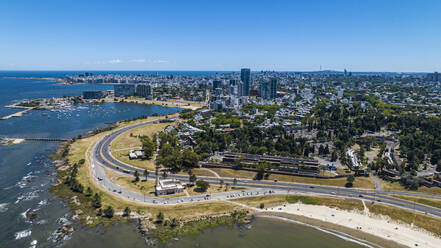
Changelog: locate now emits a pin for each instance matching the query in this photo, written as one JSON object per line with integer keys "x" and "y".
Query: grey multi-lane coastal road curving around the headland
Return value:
{"x": 101, "y": 158}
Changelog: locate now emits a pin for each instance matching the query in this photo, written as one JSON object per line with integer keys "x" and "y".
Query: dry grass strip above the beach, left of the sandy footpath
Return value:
{"x": 275, "y": 200}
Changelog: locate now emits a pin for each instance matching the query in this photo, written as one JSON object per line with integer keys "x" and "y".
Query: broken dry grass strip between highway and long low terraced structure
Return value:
{"x": 360, "y": 182}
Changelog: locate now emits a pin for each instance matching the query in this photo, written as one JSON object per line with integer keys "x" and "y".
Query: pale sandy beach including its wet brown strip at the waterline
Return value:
{"x": 376, "y": 229}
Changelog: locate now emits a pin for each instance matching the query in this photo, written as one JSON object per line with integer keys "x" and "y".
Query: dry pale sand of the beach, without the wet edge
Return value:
{"x": 380, "y": 226}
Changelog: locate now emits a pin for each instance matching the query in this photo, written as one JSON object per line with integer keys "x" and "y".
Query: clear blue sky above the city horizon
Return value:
{"x": 360, "y": 35}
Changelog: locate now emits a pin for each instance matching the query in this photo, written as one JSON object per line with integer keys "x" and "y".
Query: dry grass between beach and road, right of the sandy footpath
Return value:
{"x": 429, "y": 223}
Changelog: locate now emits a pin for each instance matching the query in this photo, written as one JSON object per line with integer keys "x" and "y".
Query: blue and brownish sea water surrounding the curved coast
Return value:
{"x": 26, "y": 174}
